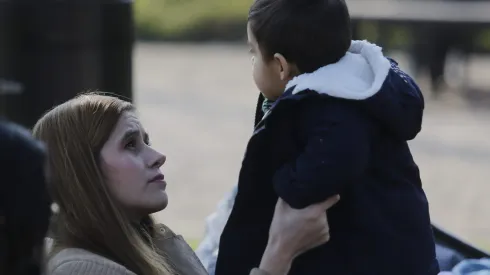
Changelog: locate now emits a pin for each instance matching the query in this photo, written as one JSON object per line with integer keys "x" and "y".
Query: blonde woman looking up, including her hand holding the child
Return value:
{"x": 106, "y": 180}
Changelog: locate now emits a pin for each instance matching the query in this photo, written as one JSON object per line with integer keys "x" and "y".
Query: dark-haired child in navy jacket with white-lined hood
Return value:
{"x": 335, "y": 119}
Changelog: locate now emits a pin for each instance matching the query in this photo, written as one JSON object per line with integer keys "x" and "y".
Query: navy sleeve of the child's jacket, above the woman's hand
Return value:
{"x": 335, "y": 154}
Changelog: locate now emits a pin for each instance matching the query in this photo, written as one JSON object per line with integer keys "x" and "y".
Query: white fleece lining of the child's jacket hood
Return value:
{"x": 358, "y": 75}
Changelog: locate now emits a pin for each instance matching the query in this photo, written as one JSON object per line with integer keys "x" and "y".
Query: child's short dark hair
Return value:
{"x": 308, "y": 33}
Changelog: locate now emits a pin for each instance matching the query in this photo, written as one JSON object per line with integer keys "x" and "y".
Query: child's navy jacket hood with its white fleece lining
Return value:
{"x": 365, "y": 74}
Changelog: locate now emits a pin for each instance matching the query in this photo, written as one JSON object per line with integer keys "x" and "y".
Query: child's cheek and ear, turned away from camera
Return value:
{"x": 270, "y": 76}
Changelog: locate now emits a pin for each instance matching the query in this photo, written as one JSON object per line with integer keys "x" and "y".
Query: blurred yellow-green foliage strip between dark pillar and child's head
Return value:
{"x": 181, "y": 19}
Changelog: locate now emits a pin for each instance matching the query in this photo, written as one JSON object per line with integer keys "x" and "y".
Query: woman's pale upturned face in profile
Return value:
{"x": 132, "y": 168}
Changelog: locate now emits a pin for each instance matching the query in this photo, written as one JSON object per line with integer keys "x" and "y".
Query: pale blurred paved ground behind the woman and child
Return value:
{"x": 197, "y": 102}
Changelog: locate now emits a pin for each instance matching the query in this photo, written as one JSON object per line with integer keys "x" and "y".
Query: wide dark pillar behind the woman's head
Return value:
{"x": 57, "y": 49}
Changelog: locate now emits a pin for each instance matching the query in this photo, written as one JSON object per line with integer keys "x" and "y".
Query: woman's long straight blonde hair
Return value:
{"x": 89, "y": 217}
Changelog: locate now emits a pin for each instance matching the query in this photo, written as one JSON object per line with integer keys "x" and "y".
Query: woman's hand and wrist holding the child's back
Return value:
{"x": 294, "y": 231}
